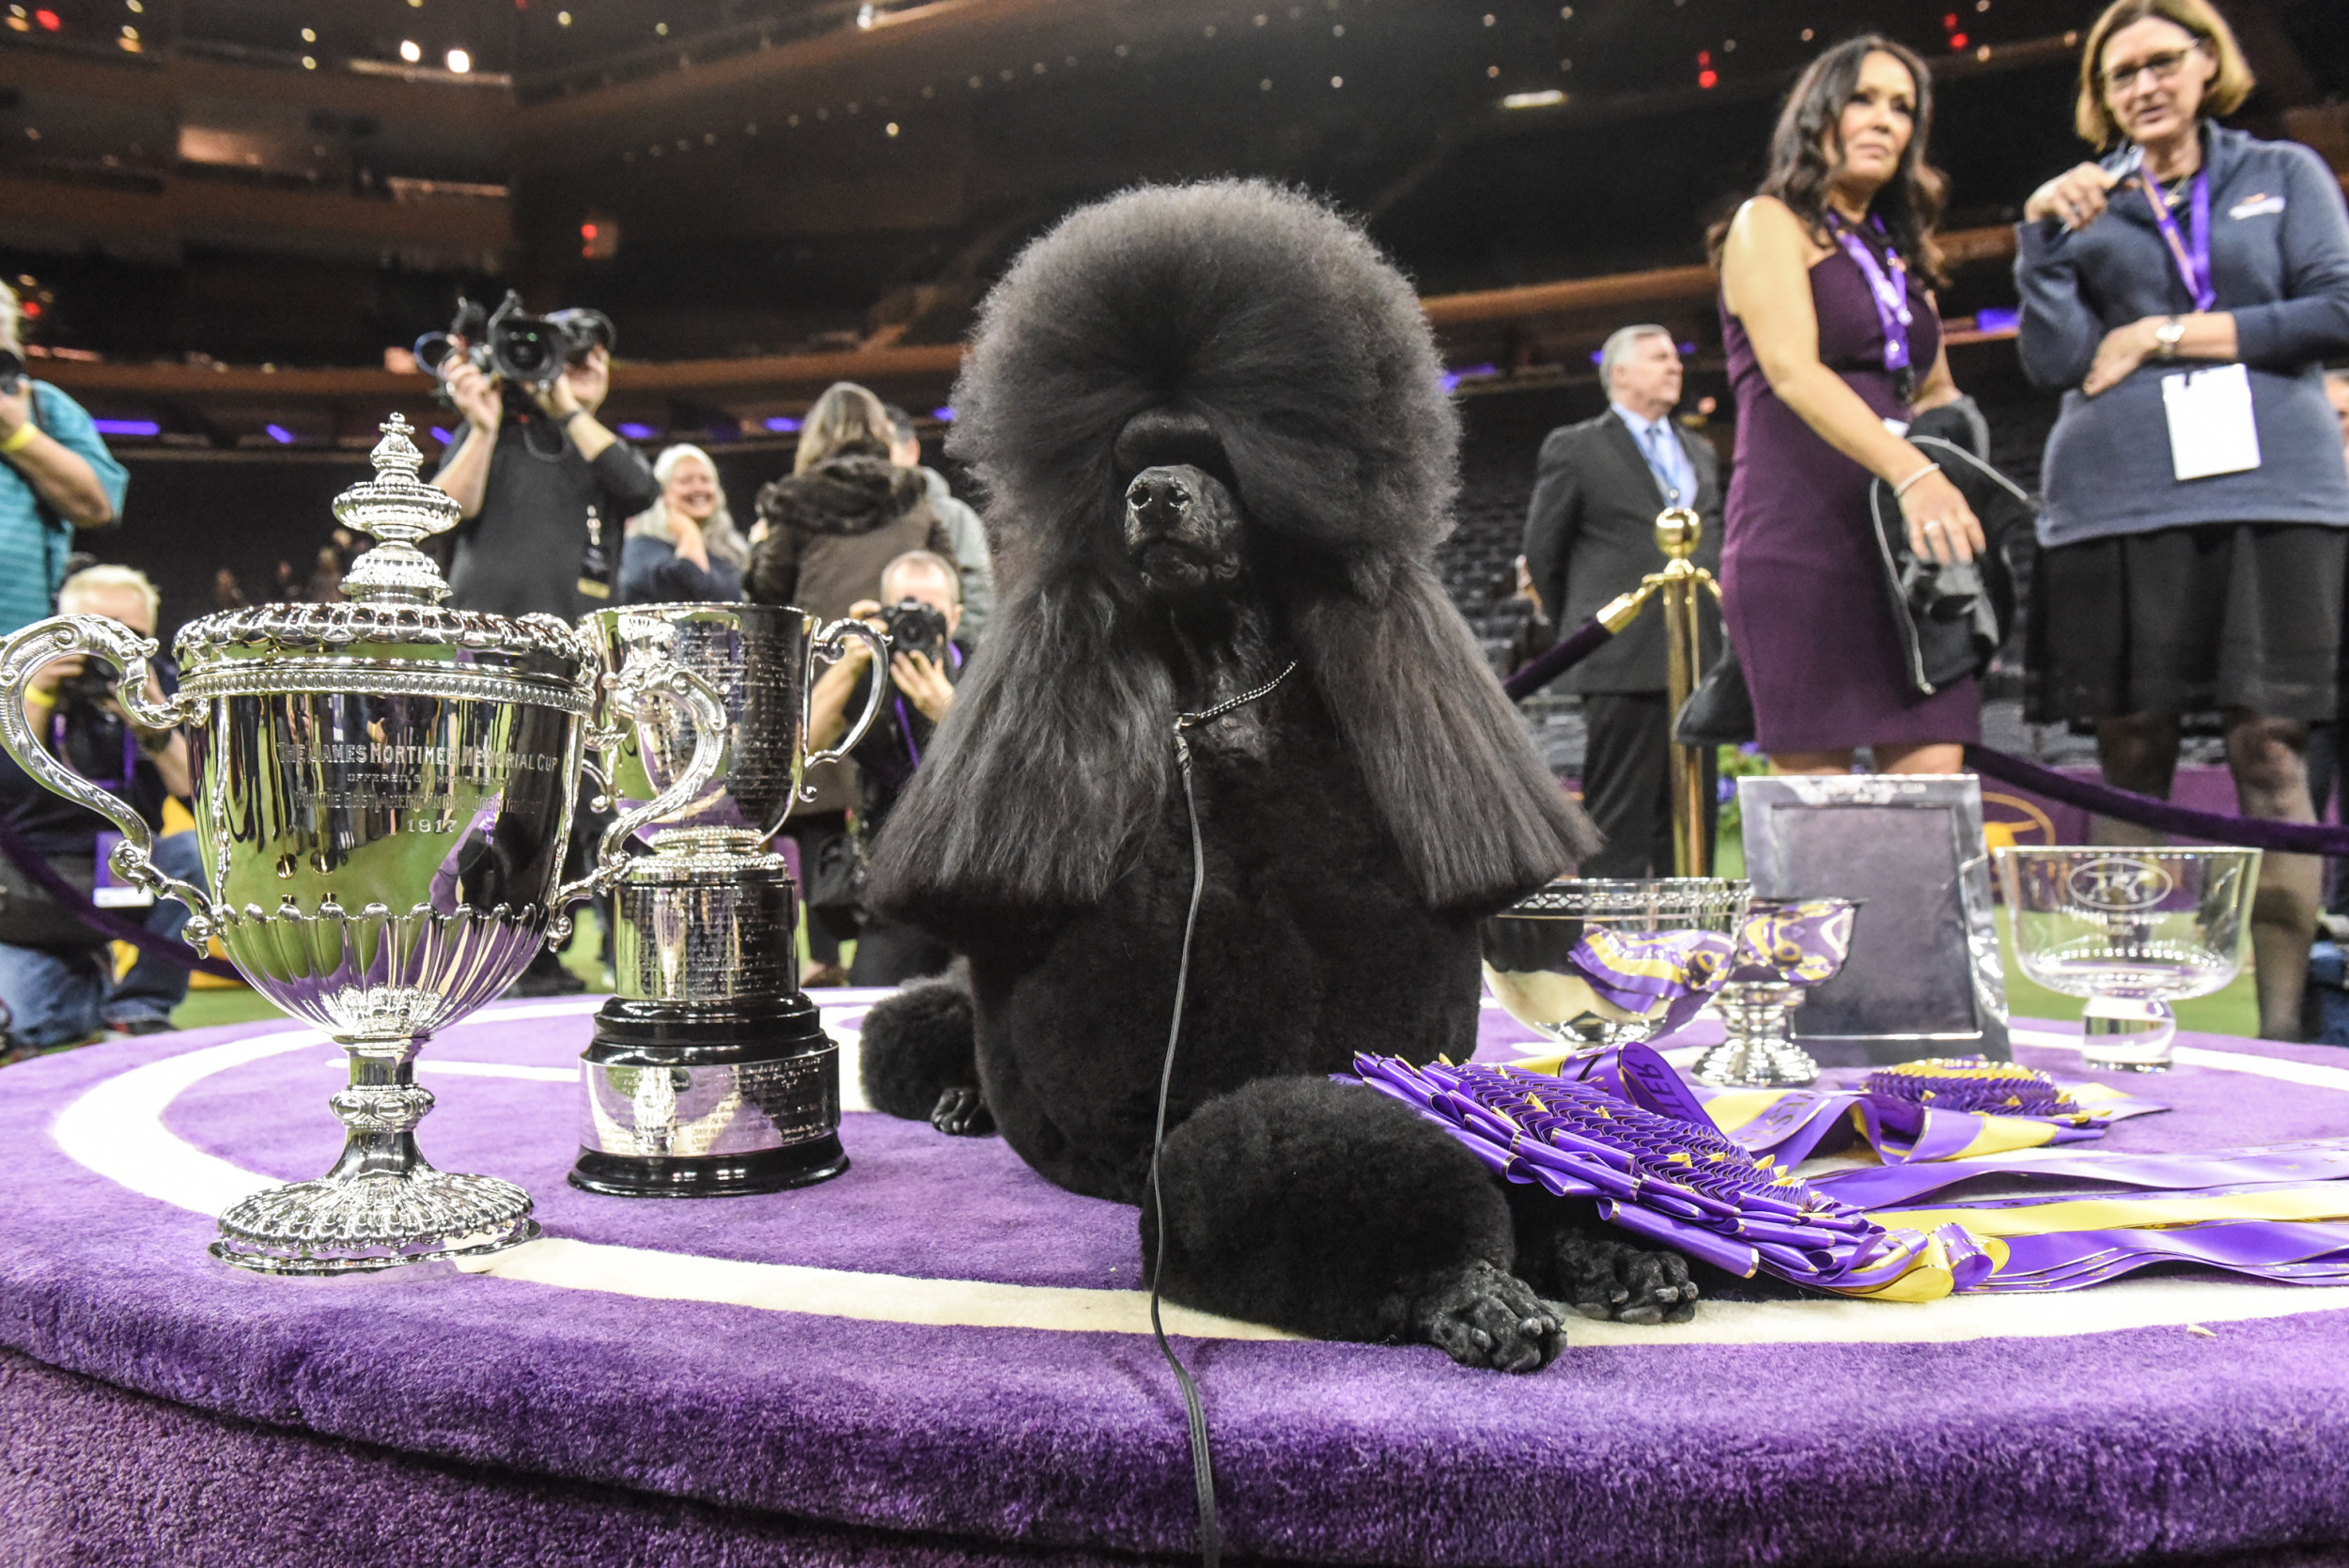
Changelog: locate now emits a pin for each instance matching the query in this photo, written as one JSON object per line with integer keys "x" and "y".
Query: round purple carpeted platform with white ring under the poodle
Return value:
{"x": 943, "y": 1360}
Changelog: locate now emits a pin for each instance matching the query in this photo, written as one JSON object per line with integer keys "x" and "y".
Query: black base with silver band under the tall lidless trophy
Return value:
{"x": 666, "y": 1083}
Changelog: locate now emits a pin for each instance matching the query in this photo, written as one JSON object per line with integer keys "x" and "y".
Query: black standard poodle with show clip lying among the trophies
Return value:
{"x": 1218, "y": 459}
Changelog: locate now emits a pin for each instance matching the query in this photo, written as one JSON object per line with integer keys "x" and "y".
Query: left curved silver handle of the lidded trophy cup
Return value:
{"x": 116, "y": 644}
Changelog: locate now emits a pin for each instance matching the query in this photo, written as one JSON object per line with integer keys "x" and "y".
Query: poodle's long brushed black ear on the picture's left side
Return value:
{"x": 1044, "y": 773}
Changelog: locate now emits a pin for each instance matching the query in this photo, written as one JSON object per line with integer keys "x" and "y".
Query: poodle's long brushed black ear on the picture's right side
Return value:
{"x": 1451, "y": 769}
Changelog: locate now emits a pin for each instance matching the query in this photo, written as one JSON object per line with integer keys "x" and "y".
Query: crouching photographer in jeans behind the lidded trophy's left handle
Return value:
{"x": 58, "y": 975}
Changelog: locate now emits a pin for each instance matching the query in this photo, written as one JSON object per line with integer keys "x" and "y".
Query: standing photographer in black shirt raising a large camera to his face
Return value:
{"x": 541, "y": 485}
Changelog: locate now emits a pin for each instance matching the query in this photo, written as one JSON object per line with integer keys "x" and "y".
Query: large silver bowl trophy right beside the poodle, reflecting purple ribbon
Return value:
{"x": 1596, "y": 964}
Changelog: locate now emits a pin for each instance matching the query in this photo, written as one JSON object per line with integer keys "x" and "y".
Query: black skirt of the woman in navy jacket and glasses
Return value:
{"x": 2190, "y": 621}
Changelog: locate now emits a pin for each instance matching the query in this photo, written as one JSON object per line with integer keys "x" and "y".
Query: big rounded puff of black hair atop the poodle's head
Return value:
{"x": 1232, "y": 327}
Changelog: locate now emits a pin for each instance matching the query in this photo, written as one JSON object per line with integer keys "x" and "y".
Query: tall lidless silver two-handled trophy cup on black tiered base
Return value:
{"x": 711, "y": 1069}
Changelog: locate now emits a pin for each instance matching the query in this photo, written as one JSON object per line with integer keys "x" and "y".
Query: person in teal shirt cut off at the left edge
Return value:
{"x": 55, "y": 478}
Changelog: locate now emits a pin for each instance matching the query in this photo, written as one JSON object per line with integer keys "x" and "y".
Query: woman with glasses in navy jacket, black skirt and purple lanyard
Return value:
{"x": 2223, "y": 593}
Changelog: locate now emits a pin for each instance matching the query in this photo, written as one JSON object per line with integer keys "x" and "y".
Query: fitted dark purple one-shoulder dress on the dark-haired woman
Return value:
{"x": 1803, "y": 581}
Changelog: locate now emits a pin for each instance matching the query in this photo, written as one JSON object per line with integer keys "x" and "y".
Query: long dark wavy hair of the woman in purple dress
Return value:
{"x": 1801, "y": 170}
